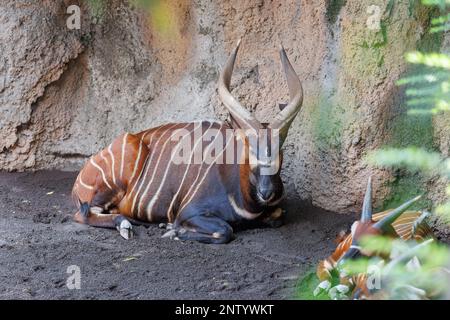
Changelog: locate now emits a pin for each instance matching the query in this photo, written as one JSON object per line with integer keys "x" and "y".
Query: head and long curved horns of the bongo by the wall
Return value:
{"x": 263, "y": 140}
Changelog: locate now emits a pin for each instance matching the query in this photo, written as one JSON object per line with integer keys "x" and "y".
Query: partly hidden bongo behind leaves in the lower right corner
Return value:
{"x": 398, "y": 223}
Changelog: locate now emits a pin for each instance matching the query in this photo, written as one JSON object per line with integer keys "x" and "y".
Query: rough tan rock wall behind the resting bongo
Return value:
{"x": 64, "y": 94}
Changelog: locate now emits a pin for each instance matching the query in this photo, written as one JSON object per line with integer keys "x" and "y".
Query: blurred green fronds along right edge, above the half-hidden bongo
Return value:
{"x": 428, "y": 93}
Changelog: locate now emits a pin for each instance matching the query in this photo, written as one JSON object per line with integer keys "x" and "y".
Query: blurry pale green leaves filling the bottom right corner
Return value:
{"x": 414, "y": 271}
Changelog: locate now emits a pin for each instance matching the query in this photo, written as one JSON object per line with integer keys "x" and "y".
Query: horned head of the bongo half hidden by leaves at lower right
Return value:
{"x": 367, "y": 226}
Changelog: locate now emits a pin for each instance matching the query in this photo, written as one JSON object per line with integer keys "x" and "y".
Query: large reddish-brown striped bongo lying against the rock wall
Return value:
{"x": 136, "y": 180}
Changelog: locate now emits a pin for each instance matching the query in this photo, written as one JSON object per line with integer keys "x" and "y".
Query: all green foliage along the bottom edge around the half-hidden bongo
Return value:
{"x": 396, "y": 269}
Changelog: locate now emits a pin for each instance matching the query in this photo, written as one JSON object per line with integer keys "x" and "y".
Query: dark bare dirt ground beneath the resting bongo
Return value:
{"x": 39, "y": 240}
